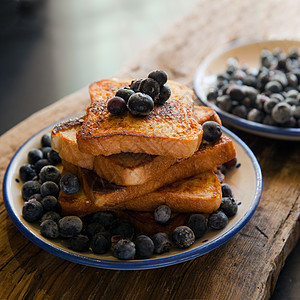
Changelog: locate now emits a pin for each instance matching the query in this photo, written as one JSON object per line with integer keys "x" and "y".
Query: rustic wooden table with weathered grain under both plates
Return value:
{"x": 248, "y": 265}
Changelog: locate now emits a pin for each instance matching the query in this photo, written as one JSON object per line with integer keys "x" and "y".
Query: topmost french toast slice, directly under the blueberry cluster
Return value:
{"x": 169, "y": 130}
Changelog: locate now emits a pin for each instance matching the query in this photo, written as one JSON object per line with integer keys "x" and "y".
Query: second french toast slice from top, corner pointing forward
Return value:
{"x": 124, "y": 168}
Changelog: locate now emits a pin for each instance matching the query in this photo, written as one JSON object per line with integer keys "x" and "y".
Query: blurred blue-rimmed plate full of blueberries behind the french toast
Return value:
{"x": 254, "y": 86}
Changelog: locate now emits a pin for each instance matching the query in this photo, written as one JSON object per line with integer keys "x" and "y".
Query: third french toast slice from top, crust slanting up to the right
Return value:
{"x": 105, "y": 195}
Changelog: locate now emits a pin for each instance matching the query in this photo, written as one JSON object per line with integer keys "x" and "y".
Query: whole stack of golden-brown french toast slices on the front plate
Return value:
{"x": 132, "y": 164}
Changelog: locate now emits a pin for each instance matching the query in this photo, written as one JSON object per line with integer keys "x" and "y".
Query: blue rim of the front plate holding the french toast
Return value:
{"x": 136, "y": 264}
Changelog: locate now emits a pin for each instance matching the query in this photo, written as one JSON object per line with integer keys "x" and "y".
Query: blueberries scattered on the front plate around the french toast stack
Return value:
{"x": 102, "y": 231}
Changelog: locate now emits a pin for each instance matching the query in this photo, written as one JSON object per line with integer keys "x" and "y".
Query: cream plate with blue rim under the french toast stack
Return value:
{"x": 245, "y": 180}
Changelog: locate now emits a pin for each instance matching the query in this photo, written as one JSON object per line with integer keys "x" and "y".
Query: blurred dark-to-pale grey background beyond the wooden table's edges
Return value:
{"x": 49, "y": 49}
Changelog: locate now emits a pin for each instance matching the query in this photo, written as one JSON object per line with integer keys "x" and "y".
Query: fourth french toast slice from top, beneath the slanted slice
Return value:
{"x": 201, "y": 193}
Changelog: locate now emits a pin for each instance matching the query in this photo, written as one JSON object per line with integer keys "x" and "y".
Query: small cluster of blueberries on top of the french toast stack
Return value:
{"x": 141, "y": 95}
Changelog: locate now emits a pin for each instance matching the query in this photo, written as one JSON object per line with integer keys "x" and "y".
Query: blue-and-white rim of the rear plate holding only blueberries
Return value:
{"x": 243, "y": 124}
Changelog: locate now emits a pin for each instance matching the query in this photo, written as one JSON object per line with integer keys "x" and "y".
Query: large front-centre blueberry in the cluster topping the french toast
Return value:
{"x": 140, "y": 104}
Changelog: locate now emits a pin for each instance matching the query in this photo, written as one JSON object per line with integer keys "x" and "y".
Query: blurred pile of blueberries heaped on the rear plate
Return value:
{"x": 268, "y": 95}
